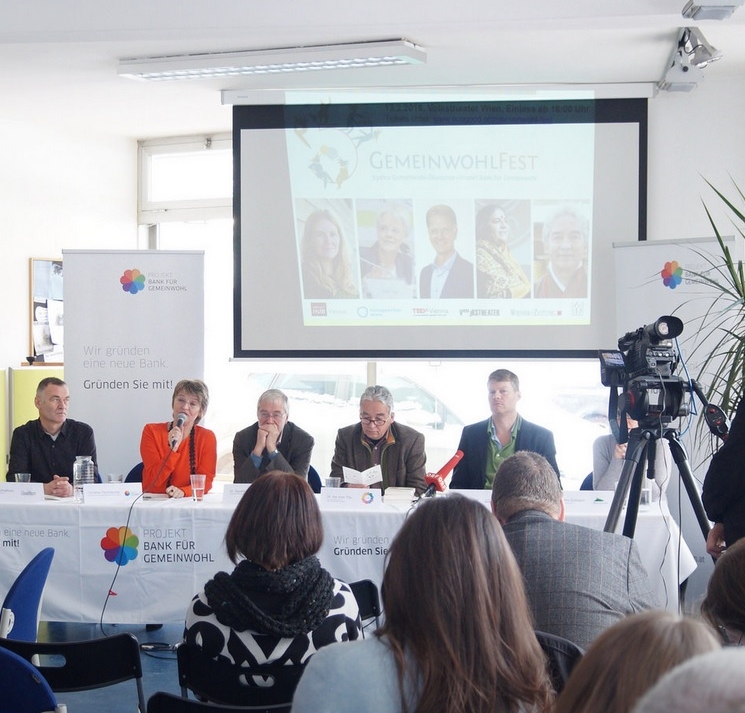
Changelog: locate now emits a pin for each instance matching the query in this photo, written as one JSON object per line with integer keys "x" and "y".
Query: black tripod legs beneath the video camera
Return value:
{"x": 643, "y": 441}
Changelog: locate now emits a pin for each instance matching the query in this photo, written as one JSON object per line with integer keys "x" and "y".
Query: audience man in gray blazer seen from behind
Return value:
{"x": 579, "y": 581}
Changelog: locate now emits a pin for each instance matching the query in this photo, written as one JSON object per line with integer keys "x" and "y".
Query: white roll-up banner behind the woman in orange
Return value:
{"x": 134, "y": 326}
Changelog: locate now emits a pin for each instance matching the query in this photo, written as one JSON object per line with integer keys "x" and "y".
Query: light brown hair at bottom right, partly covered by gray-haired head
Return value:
{"x": 629, "y": 658}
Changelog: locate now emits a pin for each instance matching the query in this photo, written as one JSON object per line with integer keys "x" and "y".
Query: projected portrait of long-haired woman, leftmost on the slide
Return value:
{"x": 325, "y": 264}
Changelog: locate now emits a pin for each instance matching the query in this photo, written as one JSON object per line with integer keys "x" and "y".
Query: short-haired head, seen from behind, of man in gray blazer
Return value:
{"x": 525, "y": 481}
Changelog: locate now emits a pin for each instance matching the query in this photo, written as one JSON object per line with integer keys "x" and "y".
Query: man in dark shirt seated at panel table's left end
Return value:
{"x": 47, "y": 446}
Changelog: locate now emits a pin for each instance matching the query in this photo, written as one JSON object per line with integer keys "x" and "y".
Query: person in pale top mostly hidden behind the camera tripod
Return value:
{"x": 608, "y": 458}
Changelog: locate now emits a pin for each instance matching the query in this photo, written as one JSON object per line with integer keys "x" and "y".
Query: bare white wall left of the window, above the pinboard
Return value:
{"x": 57, "y": 191}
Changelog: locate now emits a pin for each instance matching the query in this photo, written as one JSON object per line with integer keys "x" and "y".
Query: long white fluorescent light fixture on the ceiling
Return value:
{"x": 273, "y": 61}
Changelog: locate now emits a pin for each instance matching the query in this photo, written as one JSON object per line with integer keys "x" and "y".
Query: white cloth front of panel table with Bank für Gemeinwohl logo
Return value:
{"x": 170, "y": 548}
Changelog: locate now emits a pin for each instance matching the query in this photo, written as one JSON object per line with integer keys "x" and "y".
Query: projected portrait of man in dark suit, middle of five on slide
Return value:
{"x": 449, "y": 276}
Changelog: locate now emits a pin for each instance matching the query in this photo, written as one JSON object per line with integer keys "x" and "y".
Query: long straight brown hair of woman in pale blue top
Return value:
{"x": 455, "y": 605}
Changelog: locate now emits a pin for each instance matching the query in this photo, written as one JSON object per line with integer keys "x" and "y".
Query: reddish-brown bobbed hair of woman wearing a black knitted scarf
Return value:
{"x": 276, "y": 523}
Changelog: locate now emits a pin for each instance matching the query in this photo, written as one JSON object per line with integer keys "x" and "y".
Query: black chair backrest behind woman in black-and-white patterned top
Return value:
{"x": 256, "y": 688}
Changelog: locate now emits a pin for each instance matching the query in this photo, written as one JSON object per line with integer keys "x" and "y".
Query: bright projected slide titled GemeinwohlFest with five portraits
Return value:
{"x": 435, "y": 225}
